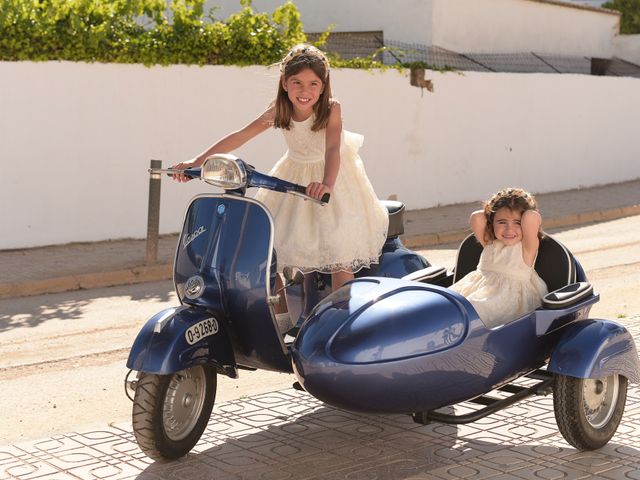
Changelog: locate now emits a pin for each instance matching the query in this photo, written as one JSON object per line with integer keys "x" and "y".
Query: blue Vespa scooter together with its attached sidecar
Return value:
{"x": 393, "y": 340}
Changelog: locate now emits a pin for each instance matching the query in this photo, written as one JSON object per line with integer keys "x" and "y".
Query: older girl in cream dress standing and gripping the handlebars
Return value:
{"x": 348, "y": 233}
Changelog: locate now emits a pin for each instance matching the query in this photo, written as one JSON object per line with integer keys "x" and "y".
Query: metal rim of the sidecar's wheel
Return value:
{"x": 599, "y": 398}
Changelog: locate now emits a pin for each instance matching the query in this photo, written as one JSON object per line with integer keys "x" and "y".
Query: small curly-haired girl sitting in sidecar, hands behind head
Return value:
{"x": 505, "y": 284}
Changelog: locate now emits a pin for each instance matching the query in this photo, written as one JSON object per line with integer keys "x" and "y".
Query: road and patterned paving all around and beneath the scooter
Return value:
{"x": 62, "y": 364}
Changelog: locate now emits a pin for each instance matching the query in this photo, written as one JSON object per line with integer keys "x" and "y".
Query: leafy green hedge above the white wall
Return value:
{"x": 144, "y": 31}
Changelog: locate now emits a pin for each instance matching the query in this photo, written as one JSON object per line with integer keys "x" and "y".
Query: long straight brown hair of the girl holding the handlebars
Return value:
{"x": 298, "y": 59}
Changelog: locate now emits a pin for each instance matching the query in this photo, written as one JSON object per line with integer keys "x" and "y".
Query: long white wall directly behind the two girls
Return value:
{"x": 76, "y": 139}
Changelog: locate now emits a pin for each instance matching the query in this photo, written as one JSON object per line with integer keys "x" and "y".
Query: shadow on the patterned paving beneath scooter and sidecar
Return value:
{"x": 332, "y": 444}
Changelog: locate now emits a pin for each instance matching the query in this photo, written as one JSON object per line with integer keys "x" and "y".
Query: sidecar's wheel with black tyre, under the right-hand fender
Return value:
{"x": 588, "y": 411}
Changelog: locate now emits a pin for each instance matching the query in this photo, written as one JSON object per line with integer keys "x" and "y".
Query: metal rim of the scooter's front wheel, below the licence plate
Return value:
{"x": 183, "y": 402}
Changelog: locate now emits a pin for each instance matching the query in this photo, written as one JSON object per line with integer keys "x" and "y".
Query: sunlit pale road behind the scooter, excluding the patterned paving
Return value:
{"x": 80, "y": 340}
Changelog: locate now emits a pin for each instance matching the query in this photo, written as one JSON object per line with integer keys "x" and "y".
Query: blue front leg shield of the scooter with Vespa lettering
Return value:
{"x": 227, "y": 241}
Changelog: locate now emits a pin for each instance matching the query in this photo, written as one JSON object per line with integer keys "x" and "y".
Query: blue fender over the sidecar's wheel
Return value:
{"x": 596, "y": 349}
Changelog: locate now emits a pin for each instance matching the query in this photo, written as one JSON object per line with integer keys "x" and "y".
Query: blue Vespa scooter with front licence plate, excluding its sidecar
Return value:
{"x": 224, "y": 275}
